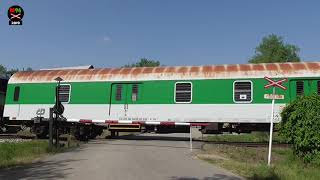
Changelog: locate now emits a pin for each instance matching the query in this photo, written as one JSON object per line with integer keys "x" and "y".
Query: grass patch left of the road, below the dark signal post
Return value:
{"x": 12, "y": 154}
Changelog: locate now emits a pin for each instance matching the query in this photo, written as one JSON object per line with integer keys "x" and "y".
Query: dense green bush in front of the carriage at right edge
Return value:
{"x": 300, "y": 125}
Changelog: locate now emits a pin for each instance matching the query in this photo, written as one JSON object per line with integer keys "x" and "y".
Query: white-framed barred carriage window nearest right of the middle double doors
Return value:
{"x": 183, "y": 93}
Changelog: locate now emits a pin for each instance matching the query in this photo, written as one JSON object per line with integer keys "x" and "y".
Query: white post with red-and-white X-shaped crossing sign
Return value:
{"x": 274, "y": 96}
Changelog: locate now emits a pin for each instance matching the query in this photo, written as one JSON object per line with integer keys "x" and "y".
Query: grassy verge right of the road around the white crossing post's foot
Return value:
{"x": 251, "y": 162}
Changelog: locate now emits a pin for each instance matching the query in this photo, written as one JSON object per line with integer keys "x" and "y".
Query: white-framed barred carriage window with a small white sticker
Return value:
{"x": 242, "y": 91}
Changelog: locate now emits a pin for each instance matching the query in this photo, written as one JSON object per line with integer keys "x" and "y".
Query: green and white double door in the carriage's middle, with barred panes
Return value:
{"x": 123, "y": 95}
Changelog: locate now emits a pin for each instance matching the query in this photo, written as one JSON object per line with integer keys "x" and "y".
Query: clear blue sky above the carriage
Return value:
{"x": 112, "y": 33}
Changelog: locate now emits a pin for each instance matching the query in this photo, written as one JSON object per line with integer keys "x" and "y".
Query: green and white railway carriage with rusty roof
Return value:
{"x": 181, "y": 95}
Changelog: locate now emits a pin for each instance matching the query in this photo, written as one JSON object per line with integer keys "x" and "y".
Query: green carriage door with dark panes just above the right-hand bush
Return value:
{"x": 304, "y": 87}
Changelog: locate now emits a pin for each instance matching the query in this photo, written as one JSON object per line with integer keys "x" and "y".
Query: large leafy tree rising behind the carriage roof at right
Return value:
{"x": 273, "y": 49}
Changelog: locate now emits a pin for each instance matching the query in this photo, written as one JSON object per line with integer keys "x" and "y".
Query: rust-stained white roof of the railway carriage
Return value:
{"x": 236, "y": 71}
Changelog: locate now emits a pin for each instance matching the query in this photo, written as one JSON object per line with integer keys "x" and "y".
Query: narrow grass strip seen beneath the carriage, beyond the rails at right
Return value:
{"x": 256, "y": 137}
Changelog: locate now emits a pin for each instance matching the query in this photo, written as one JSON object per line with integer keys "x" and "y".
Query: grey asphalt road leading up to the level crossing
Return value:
{"x": 142, "y": 157}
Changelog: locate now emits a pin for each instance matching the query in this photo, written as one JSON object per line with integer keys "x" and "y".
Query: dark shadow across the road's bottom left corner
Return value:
{"x": 39, "y": 170}
